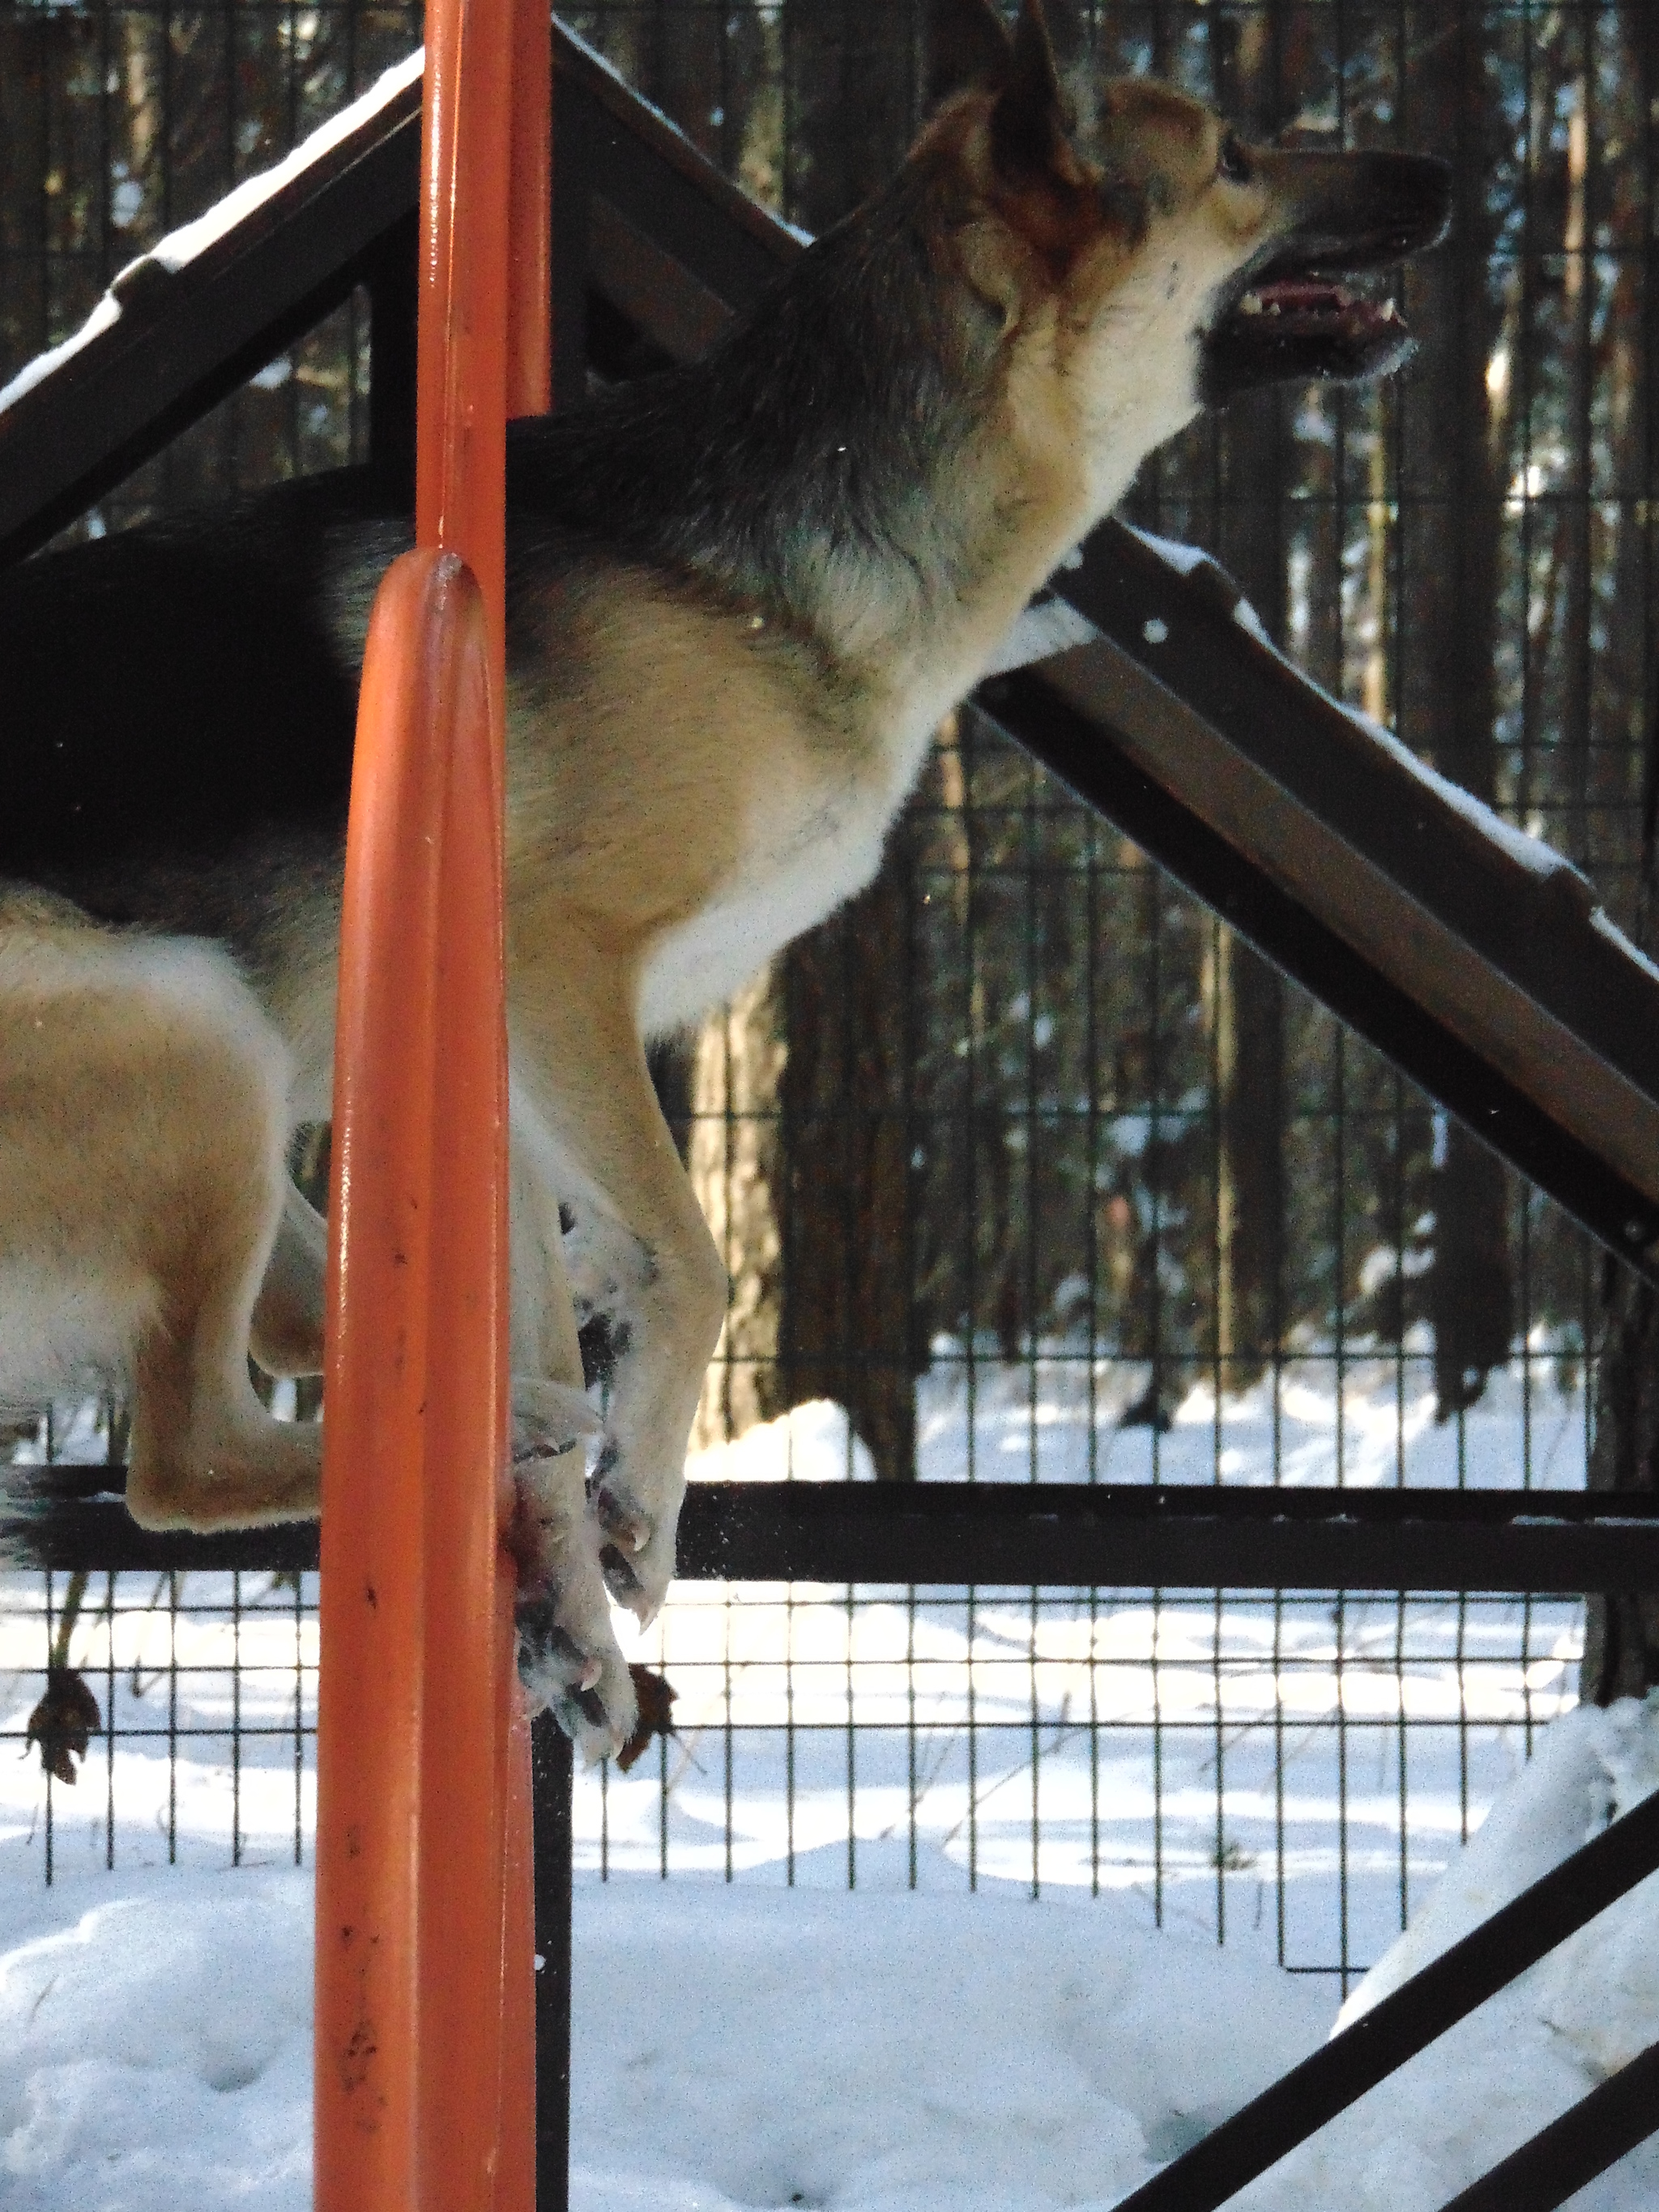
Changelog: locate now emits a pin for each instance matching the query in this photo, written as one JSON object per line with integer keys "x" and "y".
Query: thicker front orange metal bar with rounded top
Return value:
{"x": 415, "y": 1432}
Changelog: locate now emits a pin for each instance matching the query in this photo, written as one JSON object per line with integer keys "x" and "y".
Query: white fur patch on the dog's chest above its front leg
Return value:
{"x": 813, "y": 837}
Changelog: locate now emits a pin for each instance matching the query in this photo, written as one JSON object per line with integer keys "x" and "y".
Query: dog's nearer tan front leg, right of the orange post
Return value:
{"x": 647, "y": 1262}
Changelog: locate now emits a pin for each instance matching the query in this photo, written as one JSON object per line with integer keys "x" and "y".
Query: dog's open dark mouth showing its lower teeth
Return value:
{"x": 1304, "y": 328}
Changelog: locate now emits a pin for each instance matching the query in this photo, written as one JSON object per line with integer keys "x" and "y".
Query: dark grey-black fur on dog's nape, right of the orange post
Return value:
{"x": 815, "y": 435}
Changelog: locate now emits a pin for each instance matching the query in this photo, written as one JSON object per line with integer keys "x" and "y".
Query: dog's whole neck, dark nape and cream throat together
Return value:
{"x": 868, "y": 466}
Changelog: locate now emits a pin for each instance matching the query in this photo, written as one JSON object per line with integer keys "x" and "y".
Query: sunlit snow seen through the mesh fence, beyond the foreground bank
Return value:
{"x": 1275, "y": 1771}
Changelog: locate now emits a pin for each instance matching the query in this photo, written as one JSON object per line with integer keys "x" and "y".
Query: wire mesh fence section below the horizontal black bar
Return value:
{"x": 1286, "y": 1773}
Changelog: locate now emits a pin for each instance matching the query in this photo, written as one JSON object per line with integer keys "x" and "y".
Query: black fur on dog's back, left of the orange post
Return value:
{"x": 174, "y": 687}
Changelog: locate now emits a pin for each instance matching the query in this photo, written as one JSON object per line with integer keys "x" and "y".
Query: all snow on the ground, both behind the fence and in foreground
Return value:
{"x": 1207, "y": 1760}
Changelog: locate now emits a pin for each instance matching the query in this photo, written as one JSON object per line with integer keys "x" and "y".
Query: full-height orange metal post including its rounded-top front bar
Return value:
{"x": 424, "y": 1939}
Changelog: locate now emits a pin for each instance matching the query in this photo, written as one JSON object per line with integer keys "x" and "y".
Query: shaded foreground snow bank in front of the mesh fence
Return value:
{"x": 866, "y": 2054}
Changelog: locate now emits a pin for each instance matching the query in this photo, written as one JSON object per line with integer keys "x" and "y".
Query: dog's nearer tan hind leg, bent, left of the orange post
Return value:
{"x": 143, "y": 1125}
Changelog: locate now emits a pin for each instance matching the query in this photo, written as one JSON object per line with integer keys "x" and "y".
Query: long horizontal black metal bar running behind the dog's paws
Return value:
{"x": 985, "y": 1534}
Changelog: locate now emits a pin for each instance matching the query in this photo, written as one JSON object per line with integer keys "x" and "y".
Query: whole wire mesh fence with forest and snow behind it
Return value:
{"x": 1027, "y": 1162}
